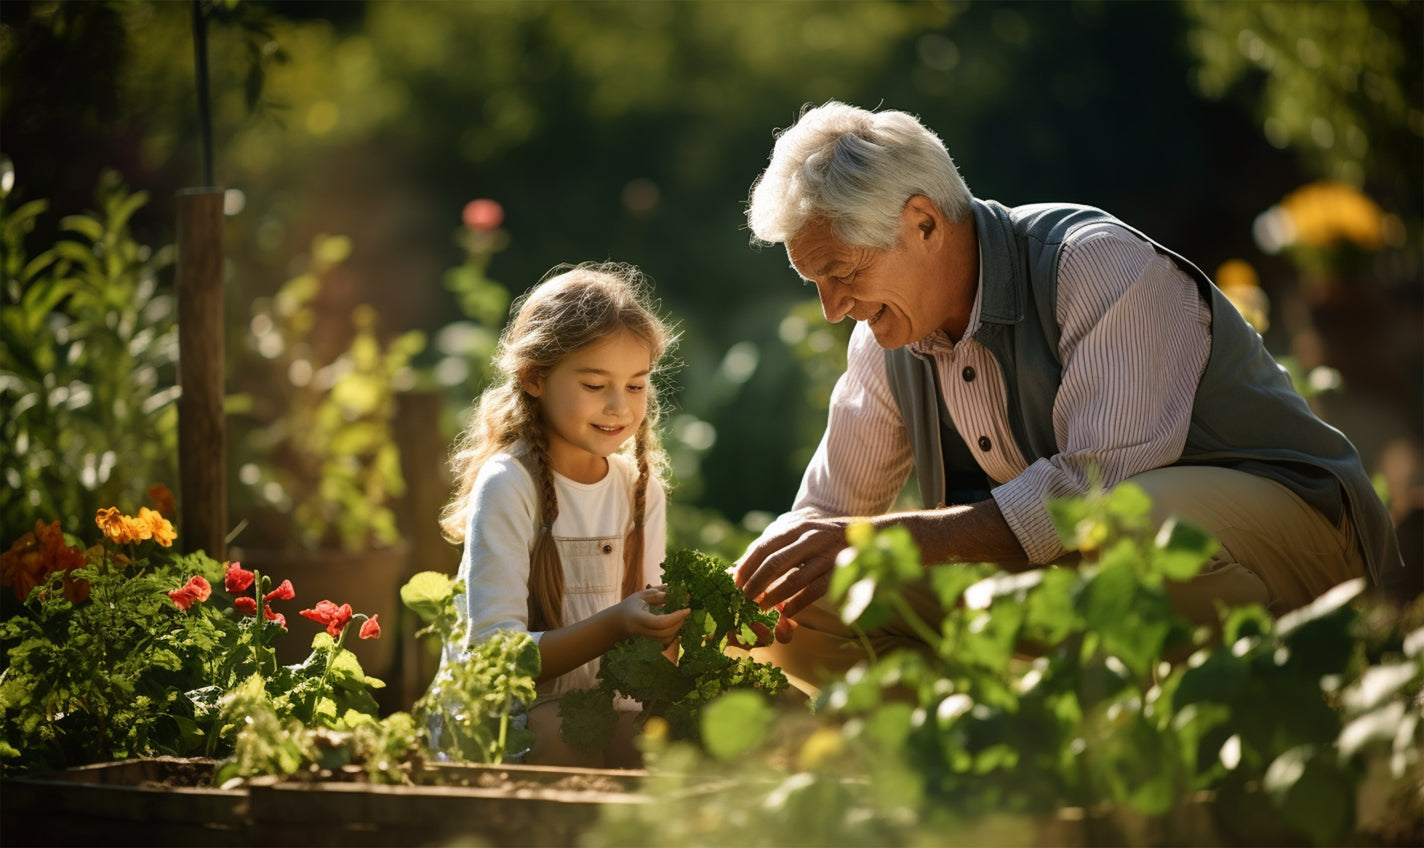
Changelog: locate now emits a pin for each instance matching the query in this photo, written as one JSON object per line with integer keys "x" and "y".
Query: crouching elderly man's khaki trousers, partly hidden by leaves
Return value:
{"x": 1277, "y": 551}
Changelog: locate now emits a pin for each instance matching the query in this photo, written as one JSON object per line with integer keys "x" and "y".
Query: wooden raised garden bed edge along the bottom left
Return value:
{"x": 170, "y": 802}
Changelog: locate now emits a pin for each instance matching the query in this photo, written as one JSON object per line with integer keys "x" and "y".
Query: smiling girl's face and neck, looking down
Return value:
{"x": 593, "y": 403}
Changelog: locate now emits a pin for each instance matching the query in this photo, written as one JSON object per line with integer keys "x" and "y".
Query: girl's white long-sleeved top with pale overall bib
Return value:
{"x": 590, "y": 531}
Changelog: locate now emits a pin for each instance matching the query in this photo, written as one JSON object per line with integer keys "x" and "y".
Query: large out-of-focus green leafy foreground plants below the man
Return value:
{"x": 1052, "y": 692}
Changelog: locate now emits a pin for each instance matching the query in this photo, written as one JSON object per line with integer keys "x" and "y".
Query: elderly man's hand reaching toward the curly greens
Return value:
{"x": 792, "y": 568}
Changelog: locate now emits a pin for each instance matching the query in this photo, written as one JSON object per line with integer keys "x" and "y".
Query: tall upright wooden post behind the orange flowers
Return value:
{"x": 203, "y": 447}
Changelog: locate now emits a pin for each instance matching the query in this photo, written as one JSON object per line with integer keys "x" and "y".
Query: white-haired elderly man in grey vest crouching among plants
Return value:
{"x": 1016, "y": 355}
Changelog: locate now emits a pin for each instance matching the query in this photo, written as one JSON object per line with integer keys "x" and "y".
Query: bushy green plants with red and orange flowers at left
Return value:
{"x": 129, "y": 650}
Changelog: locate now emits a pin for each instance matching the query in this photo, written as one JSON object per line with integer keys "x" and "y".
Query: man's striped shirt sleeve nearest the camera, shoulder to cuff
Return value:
{"x": 1136, "y": 341}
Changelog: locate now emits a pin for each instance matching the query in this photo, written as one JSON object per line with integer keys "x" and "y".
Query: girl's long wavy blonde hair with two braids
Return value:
{"x": 575, "y": 308}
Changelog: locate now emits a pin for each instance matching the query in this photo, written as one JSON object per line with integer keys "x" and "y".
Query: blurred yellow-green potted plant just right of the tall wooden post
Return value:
{"x": 318, "y": 418}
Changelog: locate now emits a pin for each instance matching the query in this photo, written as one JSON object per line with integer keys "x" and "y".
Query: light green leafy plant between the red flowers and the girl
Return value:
{"x": 471, "y": 705}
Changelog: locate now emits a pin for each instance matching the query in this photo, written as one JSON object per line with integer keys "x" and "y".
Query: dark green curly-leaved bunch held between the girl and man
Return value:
{"x": 679, "y": 691}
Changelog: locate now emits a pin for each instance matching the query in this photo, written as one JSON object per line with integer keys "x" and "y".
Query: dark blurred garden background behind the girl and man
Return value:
{"x": 1277, "y": 144}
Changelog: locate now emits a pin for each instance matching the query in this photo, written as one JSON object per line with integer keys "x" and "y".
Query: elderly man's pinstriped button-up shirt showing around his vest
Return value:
{"x": 1136, "y": 336}
